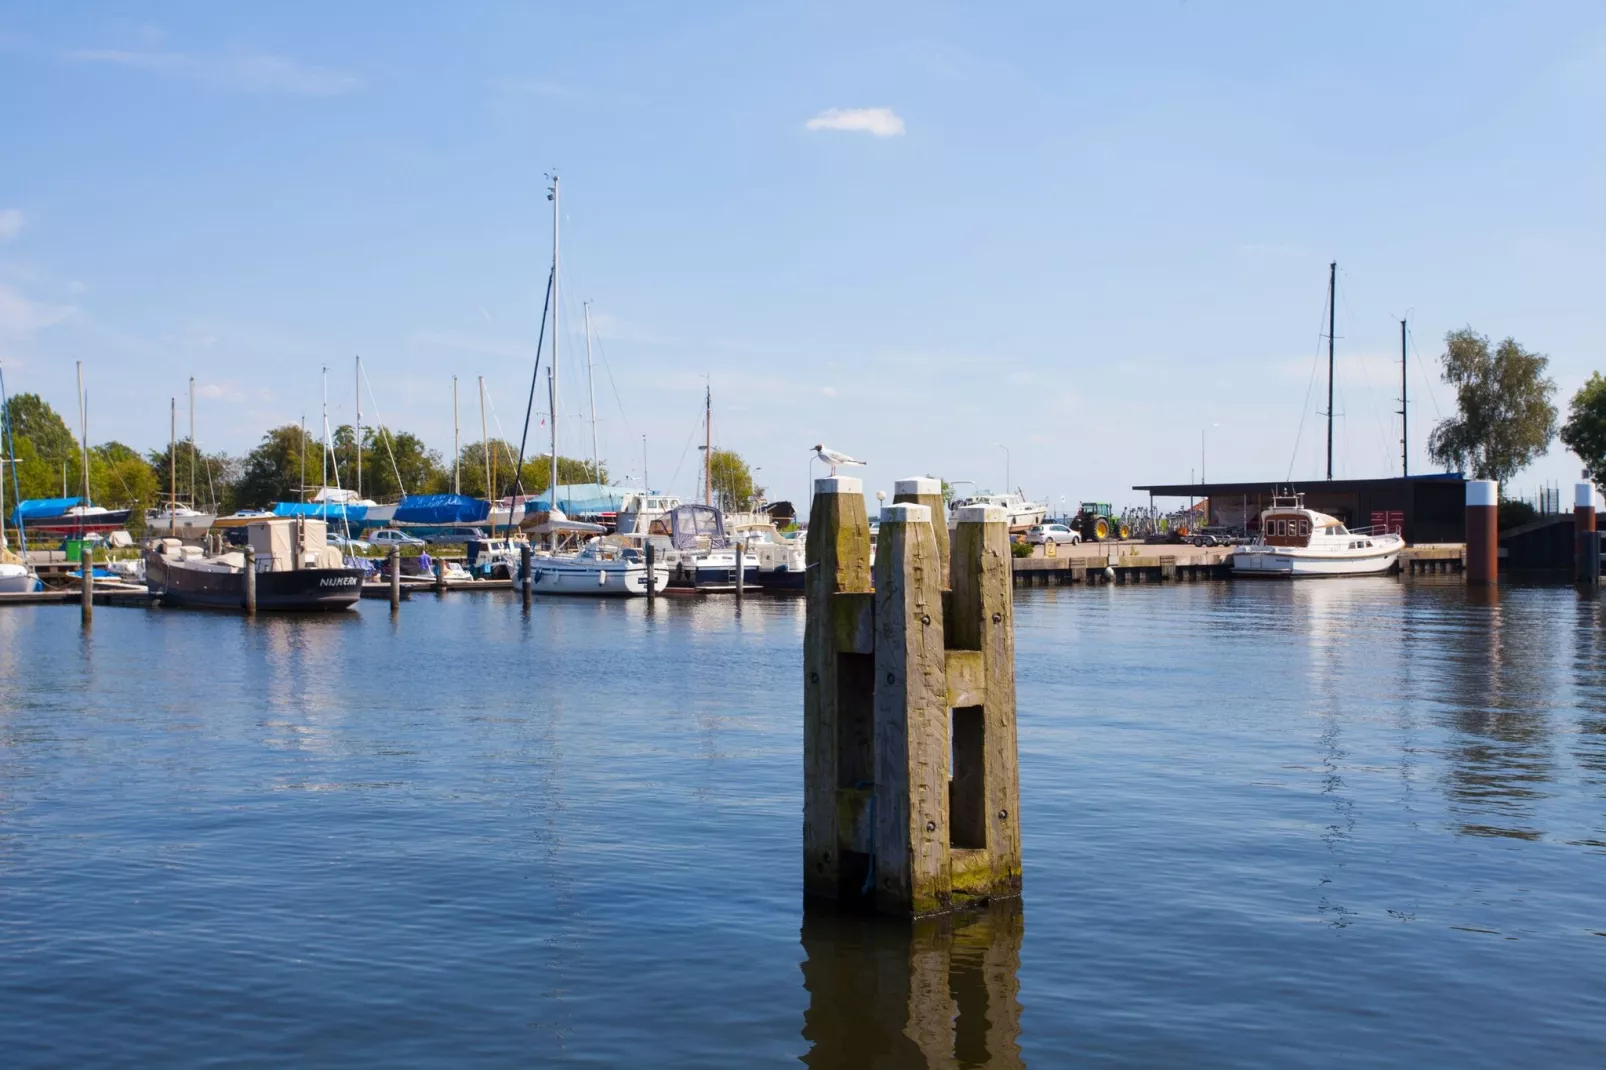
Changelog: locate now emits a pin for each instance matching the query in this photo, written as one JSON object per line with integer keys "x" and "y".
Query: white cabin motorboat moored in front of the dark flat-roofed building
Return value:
{"x": 1300, "y": 542}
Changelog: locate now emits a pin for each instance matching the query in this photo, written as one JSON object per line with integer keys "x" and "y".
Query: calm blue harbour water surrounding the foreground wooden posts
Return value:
{"x": 1323, "y": 825}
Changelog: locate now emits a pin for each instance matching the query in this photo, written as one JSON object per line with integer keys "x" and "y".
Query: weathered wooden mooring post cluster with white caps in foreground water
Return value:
{"x": 911, "y": 783}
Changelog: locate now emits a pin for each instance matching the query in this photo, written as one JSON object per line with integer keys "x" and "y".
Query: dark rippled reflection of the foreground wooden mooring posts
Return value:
{"x": 942, "y": 992}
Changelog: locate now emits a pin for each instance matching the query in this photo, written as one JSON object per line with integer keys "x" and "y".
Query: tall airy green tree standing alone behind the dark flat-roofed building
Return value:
{"x": 1506, "y": 415}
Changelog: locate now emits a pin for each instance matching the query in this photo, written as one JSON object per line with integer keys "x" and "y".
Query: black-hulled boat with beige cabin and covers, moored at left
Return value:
{"x": 296, "y": 571}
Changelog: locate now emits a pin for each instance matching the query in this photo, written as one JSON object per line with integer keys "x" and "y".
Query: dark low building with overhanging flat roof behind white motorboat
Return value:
{"x": 1430, "y": 508}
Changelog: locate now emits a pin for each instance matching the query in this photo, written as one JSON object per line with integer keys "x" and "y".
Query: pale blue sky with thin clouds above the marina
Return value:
{"x": 1085, "y": 232}
